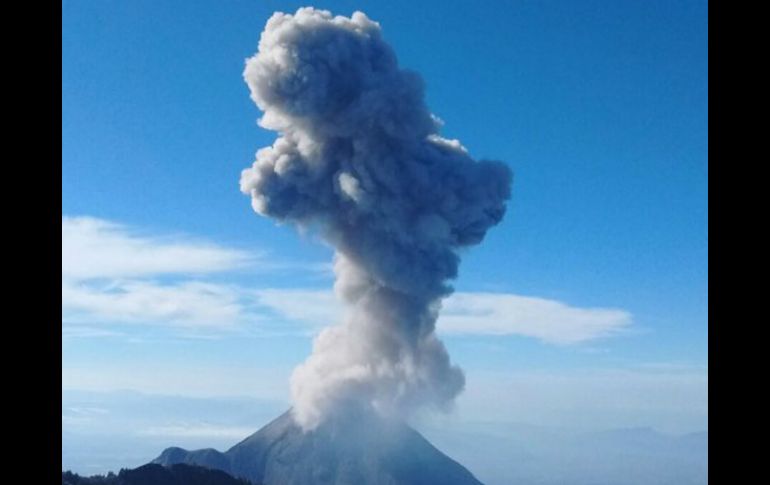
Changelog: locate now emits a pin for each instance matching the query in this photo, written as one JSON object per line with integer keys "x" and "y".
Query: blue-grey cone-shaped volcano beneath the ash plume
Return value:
{"x": 351, "y": 448}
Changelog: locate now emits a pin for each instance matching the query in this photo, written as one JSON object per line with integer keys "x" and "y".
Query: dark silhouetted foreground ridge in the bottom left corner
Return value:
{"x": 152, "y": 474}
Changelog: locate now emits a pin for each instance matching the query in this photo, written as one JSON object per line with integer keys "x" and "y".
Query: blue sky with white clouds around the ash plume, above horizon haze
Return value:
{"x": 599, "y": 107}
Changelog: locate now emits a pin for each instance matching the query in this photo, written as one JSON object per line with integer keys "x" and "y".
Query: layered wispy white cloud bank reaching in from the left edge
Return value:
{"x": 111, "y": 274}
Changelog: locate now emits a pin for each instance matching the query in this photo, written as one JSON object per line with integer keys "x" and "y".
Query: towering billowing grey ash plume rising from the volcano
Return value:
{"x": 359, "y": 157}
